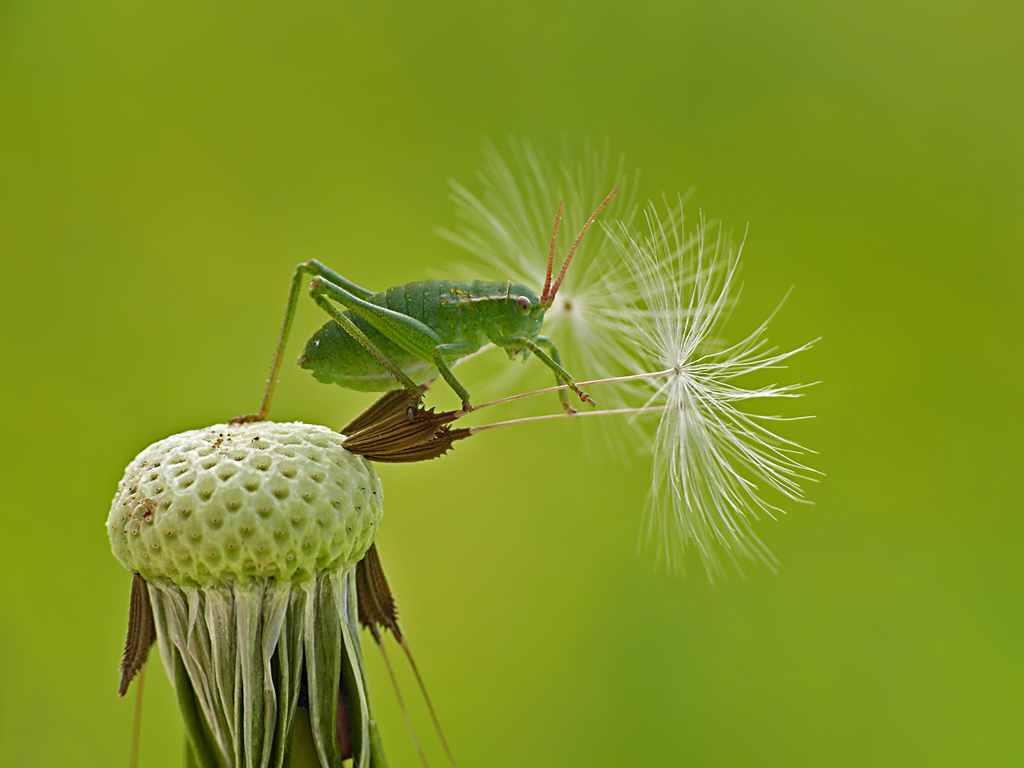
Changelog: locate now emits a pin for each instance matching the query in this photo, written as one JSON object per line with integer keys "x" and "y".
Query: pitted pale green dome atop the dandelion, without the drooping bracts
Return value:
{"x": 239, "y": 502}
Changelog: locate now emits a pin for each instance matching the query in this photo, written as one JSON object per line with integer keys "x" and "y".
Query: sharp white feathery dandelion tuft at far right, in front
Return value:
{"x": 713, "y": 460}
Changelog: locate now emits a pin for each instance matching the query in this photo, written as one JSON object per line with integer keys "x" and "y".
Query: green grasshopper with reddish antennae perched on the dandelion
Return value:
{"x": 385, "y": 342}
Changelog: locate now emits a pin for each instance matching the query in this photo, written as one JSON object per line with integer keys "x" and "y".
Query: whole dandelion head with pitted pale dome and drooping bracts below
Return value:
{"x": 244, "y": 541}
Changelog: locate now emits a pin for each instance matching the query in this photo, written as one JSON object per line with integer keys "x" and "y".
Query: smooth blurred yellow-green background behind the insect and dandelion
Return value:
{"x": 163, "y": 167}
